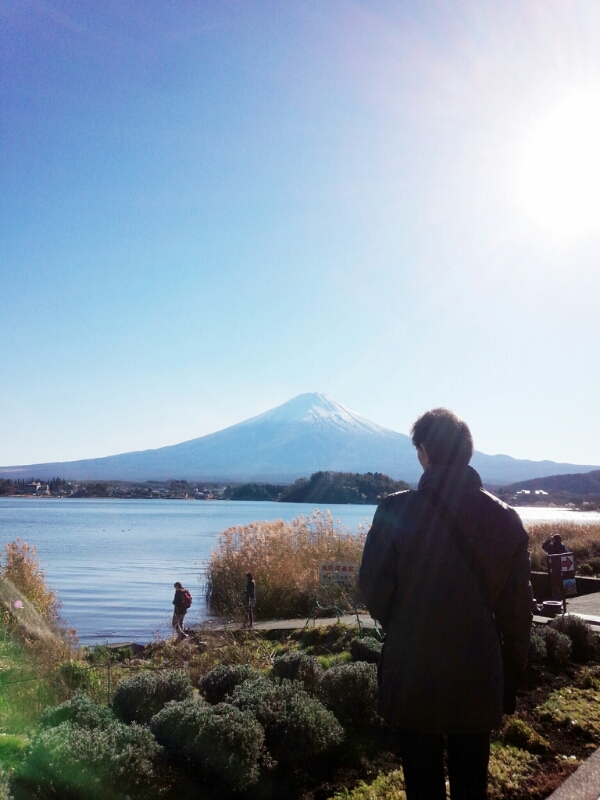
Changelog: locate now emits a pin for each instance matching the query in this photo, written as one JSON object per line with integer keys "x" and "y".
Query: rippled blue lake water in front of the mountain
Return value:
{"x": 114, "y": 562}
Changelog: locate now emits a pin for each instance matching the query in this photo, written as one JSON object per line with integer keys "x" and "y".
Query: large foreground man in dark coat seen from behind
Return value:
{"x": 446, "y": 572}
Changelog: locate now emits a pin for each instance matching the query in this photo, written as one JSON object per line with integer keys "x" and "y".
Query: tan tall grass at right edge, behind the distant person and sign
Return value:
{"x": 583, "y": 540}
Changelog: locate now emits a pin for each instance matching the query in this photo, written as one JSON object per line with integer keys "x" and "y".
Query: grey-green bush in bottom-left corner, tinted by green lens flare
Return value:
{"x": 91, "y": 764}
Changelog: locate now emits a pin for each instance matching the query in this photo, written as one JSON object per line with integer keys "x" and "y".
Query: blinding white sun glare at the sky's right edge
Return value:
{"x": 560, "y": 172}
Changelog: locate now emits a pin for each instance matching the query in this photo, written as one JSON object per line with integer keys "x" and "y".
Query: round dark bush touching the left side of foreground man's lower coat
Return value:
{"x": 350, "y": 691}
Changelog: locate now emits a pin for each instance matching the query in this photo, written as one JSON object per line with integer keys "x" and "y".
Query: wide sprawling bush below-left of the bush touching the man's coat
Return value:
{"x": 297, "y": 726}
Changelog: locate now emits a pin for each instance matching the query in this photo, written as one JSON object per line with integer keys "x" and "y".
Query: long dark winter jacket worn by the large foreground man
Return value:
{"x": 442, "y": 668}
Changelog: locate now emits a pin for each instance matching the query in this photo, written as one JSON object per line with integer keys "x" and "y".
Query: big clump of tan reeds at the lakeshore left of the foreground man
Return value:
{"x": 284, "y": 559}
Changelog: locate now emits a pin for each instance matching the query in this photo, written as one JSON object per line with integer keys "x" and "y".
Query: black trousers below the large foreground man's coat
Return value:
{"x": 423, "y": 764}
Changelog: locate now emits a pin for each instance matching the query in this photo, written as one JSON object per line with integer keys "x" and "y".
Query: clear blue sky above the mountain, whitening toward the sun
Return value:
{"x": 208, "y": 208}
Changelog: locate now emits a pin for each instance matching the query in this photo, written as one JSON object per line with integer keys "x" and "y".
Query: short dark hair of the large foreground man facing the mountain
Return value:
{"x": 445, "y": 436}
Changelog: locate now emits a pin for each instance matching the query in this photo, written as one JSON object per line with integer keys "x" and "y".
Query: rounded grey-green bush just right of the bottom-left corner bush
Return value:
{"x": 220, "y": 739}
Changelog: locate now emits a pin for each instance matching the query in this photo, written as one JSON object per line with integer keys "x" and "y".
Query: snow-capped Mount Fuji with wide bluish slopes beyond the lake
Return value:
{"x": 309, "y": 433}
